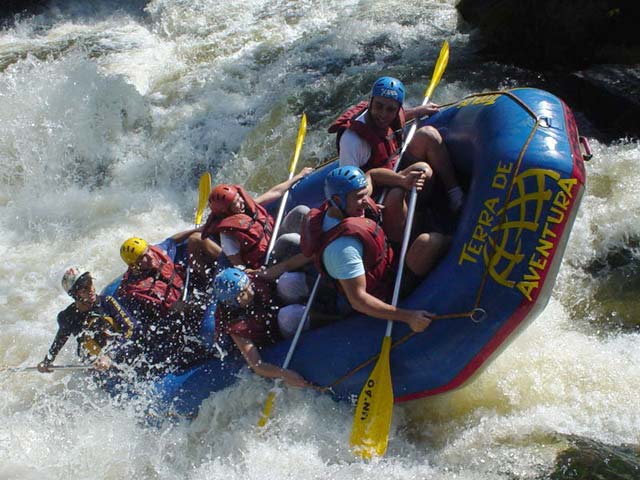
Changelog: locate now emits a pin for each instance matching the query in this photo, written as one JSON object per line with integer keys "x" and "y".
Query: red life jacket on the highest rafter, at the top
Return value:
{"x": 384, "y": 143}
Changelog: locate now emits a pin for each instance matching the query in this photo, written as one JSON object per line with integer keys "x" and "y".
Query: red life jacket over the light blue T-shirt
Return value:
{"x": 378, "y": 256}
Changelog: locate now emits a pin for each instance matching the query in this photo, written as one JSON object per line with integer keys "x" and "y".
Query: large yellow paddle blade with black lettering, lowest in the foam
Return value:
{"x": 372, "y": 419}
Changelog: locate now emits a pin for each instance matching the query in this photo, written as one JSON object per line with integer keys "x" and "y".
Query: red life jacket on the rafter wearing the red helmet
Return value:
{"x": 252, "y": 230}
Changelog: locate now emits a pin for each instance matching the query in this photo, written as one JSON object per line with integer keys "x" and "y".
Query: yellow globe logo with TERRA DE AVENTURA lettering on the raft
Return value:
{"x": 519, "y": 226}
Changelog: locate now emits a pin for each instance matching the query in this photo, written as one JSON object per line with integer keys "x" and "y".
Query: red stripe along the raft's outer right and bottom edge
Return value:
{"x": 525, "y": 307}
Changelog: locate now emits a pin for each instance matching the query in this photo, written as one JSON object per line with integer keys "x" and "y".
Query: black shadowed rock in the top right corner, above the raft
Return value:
{"x": 547, "y": 34}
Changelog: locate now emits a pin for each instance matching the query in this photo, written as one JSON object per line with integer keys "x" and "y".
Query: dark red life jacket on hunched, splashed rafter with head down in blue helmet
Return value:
{"x": 258, "y": 321}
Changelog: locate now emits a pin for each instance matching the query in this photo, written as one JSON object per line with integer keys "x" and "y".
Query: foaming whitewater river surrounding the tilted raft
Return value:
{"x": 109, "y": 113}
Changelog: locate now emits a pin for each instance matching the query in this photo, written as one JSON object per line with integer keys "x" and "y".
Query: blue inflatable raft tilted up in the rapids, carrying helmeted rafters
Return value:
{"x": 521, "y": 156}
